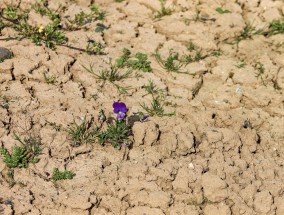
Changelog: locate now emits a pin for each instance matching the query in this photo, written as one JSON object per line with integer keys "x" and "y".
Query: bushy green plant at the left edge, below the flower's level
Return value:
{"x": 22, "y": 155}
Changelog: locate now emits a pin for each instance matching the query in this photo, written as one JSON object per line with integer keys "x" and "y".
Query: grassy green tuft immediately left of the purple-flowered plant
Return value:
{"x": 83, "y": 132}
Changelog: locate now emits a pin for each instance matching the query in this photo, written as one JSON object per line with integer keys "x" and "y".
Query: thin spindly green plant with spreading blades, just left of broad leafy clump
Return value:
{"x": 111, "y": 75}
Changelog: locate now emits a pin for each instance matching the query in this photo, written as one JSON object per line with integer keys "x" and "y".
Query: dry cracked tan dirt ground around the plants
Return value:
{"x": 203, "y": 160}
